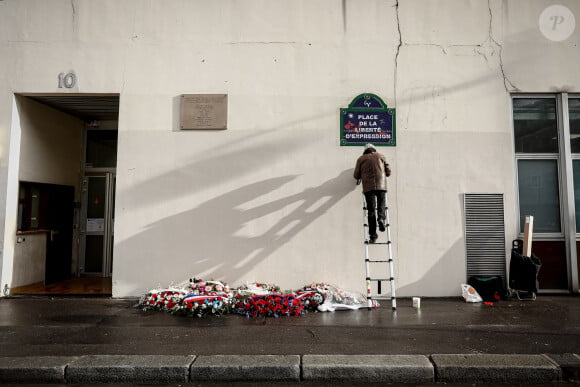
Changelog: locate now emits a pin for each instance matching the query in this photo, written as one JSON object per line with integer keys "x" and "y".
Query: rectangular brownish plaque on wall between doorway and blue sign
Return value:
{"x": 204, "y": 111}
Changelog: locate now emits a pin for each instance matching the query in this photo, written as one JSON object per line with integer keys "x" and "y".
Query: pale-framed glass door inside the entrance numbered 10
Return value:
{"x": 97, "y": 224}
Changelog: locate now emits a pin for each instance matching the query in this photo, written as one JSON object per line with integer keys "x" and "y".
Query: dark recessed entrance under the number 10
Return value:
{"x": 53, "y": 204}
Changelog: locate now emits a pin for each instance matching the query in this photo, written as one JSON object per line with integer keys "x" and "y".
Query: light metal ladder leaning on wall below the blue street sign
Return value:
{"x": 390, "y": 275}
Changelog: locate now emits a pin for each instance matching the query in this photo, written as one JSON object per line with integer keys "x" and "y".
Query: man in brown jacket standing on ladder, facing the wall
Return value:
{"x": 372, "y": 168}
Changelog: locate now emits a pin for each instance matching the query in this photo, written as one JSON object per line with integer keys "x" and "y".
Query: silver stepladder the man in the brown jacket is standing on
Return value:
{"x": 379, "y": 263}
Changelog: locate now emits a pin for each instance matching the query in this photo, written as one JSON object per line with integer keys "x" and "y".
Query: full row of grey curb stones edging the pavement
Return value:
{"x": 470, "y": 368}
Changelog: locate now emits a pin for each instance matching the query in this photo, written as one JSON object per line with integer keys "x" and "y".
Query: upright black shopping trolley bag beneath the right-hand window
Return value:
{"x": 523, "y": 270}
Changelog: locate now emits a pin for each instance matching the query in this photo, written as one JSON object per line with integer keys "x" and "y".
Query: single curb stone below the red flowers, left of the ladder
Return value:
{"x": 246, "y": 367}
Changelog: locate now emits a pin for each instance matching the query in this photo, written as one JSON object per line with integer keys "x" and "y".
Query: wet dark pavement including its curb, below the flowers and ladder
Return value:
{"x": 76, "y": 340}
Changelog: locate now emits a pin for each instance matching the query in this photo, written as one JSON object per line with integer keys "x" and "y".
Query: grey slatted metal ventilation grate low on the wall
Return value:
{"x": 485, "y": 235}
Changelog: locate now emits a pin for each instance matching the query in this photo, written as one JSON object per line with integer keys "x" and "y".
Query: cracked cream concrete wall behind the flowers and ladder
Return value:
{"x": 272, "y": 198}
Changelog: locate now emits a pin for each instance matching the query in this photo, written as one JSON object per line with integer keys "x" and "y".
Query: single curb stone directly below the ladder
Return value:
{"x": 368, "y": 368}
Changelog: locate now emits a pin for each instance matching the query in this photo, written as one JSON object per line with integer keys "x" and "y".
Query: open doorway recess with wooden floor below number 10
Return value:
{"x": 78, "y": 261}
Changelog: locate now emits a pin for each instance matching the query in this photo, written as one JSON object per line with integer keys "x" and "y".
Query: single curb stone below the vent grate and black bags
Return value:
{"x": 488, "y": 368}
